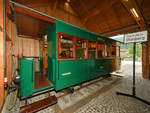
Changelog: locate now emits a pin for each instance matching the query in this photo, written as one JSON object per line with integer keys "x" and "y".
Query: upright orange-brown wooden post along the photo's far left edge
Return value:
{"x": 1, "y": 54}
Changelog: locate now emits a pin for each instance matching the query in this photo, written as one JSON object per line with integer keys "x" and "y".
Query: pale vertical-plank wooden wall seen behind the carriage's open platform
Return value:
{"x": 23, "y": 46}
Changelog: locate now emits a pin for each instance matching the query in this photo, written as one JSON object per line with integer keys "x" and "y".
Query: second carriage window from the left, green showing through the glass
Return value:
{"x": 81, "y": 49}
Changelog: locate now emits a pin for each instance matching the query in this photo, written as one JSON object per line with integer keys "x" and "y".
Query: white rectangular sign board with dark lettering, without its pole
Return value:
{"x": 136, "y": 37}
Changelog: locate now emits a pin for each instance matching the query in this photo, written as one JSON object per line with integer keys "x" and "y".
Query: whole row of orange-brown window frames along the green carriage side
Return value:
{"x": 106, "y": 53}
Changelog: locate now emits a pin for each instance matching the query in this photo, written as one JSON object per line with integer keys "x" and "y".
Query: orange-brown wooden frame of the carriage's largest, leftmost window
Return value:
{"x": 59, "y": 35}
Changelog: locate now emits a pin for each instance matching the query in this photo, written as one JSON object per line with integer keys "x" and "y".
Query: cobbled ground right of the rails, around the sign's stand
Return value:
{"x": 109, "y": 102}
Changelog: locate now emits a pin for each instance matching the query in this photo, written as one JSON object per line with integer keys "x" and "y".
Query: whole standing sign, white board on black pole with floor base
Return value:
{"x": 134, "y": 38}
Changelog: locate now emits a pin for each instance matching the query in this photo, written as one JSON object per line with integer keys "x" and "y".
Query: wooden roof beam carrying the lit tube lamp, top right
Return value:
{"x": 136, "y": 12}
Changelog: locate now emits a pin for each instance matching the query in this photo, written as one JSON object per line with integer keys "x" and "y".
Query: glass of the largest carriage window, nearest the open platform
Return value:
{"x": 65, "y": 47}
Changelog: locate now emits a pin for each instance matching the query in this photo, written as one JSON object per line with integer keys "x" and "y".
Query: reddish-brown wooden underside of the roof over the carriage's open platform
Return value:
{"x": 30, "y": 27}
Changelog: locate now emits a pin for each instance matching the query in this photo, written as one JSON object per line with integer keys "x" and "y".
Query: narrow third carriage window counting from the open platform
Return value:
{"x": 92, "y": 49}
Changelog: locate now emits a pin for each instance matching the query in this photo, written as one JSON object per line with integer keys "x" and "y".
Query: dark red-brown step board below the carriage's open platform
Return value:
{"x": 39, "y": 105}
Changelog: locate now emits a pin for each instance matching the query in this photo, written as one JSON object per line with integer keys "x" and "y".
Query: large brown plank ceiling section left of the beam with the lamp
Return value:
{"x": 113, "y": 13}
